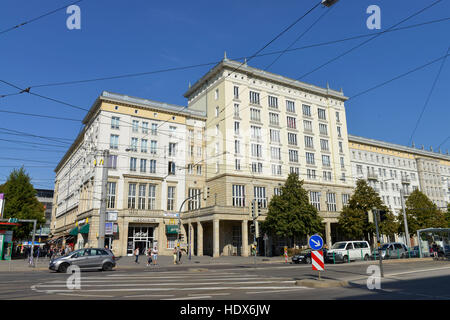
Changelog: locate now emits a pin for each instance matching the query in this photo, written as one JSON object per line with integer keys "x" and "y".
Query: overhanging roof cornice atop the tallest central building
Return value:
{"x": 255, "y": 72}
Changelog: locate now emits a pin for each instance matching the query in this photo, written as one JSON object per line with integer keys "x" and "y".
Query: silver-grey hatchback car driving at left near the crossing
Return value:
{"x": 92, "y": 258}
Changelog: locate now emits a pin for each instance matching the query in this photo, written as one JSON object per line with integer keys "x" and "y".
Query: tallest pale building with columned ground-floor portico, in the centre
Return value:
{"x": 260, "y": 127}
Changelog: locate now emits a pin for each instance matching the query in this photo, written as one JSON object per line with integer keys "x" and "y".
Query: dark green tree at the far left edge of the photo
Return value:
{"x": 21, "y": 202}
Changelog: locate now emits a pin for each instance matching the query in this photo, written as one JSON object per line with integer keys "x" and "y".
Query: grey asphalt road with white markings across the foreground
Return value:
{"x": 404, "y": 280}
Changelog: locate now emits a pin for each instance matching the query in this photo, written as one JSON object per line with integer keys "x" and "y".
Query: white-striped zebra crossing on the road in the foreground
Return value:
{"x": 182, "y": 285}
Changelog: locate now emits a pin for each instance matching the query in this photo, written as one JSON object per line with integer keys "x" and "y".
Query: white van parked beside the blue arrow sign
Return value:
{"x": 346, "y": 251}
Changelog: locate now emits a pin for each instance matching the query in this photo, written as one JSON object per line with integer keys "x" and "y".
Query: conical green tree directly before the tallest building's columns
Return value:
{"x": 290, "y": 214}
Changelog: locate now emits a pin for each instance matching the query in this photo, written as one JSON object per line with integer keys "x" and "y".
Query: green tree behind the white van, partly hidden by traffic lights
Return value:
{"x": 353, "y": 221}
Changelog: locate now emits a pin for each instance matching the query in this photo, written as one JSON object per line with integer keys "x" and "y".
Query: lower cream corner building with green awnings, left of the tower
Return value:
{"x": 146, "y": 184}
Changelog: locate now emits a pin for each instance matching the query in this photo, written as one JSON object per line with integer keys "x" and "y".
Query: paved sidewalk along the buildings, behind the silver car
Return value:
{"x": 127, "y": 263}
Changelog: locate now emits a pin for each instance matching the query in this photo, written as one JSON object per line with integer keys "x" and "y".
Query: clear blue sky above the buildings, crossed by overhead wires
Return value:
{"x": 123, "y": 37}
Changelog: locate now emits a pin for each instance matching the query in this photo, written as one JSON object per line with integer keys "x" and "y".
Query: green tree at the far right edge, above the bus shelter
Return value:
{"x": 422, "y": 213}
